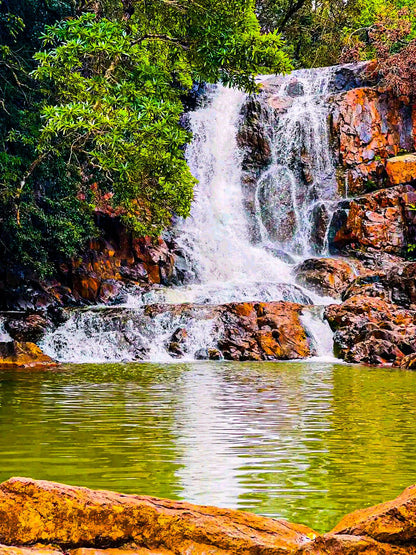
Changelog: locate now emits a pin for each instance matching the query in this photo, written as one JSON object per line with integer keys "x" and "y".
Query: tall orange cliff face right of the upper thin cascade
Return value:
{"x": 369, "y": 127}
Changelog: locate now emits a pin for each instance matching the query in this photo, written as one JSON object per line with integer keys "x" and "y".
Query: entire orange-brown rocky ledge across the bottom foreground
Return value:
{"x": 39, "y": 517}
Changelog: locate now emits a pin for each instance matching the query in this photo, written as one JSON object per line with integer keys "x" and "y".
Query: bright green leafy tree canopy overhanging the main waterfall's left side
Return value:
{"x": 114, "y": 84}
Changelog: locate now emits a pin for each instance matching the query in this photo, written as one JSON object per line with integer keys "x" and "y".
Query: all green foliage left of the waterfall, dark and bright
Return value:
{"x": 94, "y": 120}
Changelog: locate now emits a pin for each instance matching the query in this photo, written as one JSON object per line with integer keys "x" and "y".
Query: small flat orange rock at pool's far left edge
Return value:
{"x": 15, "y": 354}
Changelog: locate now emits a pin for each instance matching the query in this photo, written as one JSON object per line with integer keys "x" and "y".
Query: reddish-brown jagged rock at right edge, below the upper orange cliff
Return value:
{"x": 377, "y": 220}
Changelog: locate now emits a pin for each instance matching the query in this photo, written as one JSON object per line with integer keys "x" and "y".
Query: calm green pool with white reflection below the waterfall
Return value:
{"x": 305, "y": 441}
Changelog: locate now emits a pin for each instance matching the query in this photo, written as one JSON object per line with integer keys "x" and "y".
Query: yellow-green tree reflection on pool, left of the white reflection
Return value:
{"x": 99, "y": 426}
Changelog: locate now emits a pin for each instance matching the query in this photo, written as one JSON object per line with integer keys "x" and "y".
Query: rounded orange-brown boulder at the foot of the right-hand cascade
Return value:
{"x": 326, "y": 276}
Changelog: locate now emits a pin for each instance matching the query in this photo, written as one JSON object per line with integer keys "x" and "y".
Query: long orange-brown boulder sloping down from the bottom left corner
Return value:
{"x": 70, "y": 517}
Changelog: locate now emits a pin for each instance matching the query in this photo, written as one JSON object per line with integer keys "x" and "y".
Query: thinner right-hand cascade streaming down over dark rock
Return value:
{"x": 296, "y": 194}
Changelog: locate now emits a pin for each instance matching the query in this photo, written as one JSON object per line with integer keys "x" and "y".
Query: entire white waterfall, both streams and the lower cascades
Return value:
{"x": 292, "y": 197}
